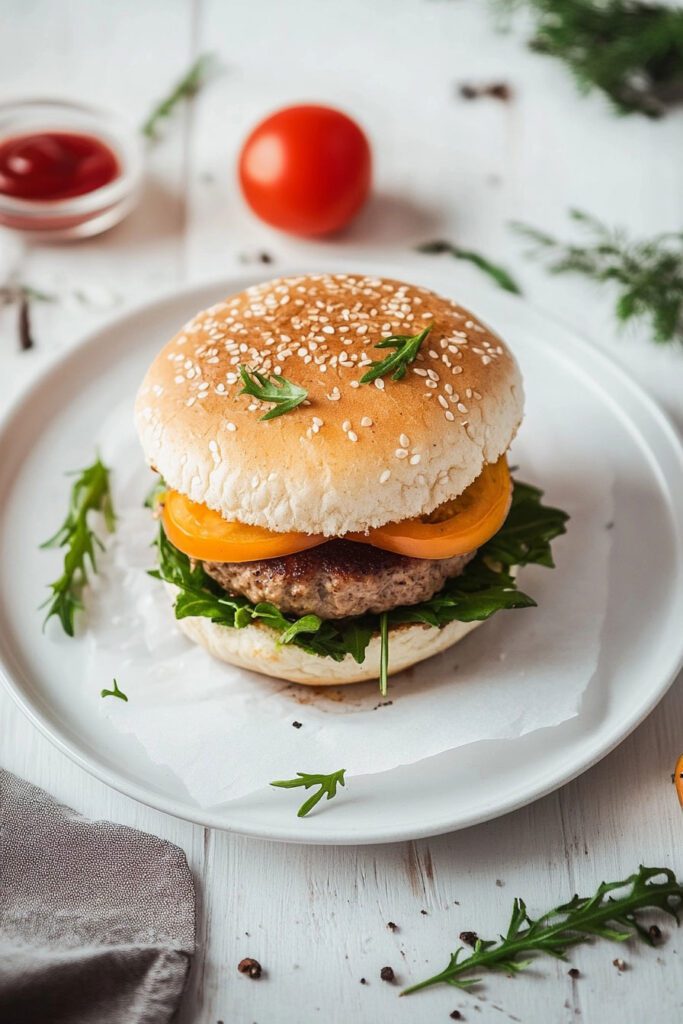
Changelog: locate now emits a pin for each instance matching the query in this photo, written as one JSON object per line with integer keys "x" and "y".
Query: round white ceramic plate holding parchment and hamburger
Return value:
{"x": 52, "y": 429}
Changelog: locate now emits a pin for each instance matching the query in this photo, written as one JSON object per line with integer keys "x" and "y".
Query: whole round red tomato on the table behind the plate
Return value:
{"x": 307, "y": 169}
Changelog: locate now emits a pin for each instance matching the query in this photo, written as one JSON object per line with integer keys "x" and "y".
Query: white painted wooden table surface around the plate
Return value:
{"x": 317, "y": 918}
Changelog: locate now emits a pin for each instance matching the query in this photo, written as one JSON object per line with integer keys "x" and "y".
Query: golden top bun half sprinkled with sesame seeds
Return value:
{"x": 354, "y": 456}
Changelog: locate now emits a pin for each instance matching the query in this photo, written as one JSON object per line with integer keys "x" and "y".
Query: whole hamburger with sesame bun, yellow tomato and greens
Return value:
{"x": 334, "y": 494}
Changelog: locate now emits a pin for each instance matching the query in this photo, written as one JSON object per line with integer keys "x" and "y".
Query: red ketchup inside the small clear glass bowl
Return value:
{"x": 50, "y": 166}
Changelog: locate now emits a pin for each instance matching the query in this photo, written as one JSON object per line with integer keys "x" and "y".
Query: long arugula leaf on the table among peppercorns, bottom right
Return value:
{"x": 608, "y": 915}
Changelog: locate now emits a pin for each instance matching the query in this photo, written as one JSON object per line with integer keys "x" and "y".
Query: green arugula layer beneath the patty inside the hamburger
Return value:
{"x": 485, "y": 587}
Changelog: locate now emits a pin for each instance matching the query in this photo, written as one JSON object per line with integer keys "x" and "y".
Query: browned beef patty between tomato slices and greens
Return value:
{"x": 338, "y": 579}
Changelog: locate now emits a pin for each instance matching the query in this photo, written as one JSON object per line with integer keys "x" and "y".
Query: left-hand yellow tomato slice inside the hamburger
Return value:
{"x": 204, "y": 535}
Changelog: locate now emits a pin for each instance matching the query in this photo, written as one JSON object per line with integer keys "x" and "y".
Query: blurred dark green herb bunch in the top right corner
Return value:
{"x": 630, "y": 50}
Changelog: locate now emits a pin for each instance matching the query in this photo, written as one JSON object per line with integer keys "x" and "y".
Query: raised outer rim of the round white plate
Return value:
{"x": 382, "y": 834}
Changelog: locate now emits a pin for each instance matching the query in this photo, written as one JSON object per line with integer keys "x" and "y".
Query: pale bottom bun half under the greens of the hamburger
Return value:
{"x": 257, "y": 648}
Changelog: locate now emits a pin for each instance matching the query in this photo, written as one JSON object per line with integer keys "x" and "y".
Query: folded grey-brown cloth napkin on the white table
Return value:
{"x": 97, "y": 920}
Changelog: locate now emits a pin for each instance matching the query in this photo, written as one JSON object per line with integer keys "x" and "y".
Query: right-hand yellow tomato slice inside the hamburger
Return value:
{"x": 455, "y": 528}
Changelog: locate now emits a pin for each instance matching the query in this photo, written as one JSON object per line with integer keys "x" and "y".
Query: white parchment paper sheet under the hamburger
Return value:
{"x": 227, "y": 733}
